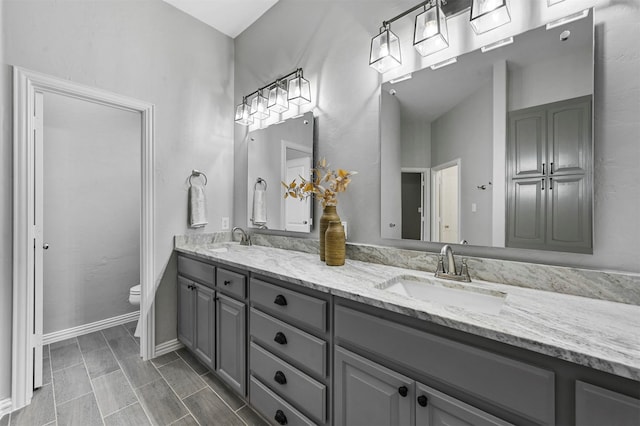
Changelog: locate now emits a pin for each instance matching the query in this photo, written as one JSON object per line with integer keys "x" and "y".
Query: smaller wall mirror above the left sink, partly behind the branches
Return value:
{"x": 279, "y": 153}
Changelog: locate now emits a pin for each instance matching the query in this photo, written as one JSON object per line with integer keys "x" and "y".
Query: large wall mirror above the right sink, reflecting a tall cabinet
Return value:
{"x": 496, "y": 149}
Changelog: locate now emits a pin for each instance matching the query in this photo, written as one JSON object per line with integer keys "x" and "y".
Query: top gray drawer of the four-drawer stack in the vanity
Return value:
{"x": 290, "y": 304}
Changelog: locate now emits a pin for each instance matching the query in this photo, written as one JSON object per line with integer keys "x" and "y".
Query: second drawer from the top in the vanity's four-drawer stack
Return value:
{"x": 305, "y": 349}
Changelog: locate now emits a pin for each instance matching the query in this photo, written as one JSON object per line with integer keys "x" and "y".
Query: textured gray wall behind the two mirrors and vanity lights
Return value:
{"x": 332, "y": 42}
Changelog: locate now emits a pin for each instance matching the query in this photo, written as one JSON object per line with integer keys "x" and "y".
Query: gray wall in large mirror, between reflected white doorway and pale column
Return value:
{"x": 465, "y": 132}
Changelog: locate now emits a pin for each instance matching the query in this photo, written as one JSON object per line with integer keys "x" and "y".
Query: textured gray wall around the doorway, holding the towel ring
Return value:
{"x": 150, "y": 51}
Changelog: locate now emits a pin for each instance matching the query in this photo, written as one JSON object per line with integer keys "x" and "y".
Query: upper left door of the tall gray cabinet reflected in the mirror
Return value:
{"x": 527, "y": 143}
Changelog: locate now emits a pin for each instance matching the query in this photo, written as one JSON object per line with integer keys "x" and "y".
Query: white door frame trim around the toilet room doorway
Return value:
{"x": 25, "y": 84}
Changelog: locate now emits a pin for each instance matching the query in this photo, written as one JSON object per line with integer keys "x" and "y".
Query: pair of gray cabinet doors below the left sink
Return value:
{"x": 196, "y": 319}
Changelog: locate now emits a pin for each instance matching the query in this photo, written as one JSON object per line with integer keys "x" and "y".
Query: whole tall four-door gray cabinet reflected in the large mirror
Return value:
{"x": 549, "y": 180}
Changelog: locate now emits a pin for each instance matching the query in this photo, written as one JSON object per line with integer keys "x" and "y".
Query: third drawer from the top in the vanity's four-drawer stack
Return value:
{"x": 291, "y": 383}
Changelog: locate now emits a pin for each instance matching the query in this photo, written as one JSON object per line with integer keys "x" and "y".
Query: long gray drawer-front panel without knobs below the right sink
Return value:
{"x": 513, "y": 385}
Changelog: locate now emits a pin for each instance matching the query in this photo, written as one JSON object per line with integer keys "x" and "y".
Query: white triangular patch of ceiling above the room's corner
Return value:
{"x": 230, "y": 17}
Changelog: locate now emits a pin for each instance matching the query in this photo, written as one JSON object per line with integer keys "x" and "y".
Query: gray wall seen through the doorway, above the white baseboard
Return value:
{"x": 91, "y": 211}
